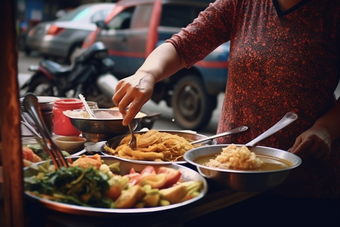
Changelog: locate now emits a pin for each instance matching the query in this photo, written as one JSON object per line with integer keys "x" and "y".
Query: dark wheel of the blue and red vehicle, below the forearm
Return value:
{"x": 191, "y": 104}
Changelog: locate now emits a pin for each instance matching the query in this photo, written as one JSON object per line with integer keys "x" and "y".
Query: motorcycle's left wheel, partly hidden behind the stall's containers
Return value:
{"x": 42, "y": 86}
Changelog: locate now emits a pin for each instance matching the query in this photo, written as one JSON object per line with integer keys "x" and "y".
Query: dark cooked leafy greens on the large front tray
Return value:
{"x": 73, "y": 185}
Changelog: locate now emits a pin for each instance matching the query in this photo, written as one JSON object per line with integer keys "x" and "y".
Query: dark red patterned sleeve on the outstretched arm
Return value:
{"x": 210, "y": 29}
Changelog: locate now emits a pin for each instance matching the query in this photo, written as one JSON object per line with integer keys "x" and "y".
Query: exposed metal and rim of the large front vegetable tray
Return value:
{"x": 187, "y": 175}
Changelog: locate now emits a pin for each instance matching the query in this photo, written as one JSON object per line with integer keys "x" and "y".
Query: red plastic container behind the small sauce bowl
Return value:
{"x": 62, "y": 124}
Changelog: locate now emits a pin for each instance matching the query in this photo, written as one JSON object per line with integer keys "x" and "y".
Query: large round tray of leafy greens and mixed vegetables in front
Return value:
{"x": 101, "y": 185}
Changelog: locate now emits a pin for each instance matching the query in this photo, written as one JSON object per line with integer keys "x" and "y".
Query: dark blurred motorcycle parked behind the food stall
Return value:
{"x": 89, "y": 74}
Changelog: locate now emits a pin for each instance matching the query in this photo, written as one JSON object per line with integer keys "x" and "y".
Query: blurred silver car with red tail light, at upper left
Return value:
{"x": 63, "y": 37}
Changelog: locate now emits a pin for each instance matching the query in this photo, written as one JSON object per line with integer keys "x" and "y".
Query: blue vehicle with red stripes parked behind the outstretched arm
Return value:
{"x": 134, "y": 28}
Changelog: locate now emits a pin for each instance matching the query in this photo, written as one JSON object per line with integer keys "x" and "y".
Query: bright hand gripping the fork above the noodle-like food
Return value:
{"x": 133, "y": 92}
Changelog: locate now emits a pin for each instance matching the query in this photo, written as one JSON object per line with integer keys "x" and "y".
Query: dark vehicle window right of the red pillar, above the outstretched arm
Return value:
{"x": 178, "y": 15}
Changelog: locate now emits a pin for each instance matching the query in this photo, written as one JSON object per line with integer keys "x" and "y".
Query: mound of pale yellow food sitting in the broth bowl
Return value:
{"x": 235, "y": 157}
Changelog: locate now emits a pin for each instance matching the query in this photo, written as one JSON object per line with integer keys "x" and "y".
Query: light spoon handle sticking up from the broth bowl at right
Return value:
{"x": 286, "y": 120}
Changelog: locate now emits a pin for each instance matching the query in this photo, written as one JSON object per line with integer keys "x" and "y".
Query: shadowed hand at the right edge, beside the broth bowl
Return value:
{"x": 315, "y": 143}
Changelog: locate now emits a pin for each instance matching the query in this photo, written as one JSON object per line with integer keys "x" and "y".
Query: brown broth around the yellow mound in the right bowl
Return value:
{"x": 270, "y": 162}
